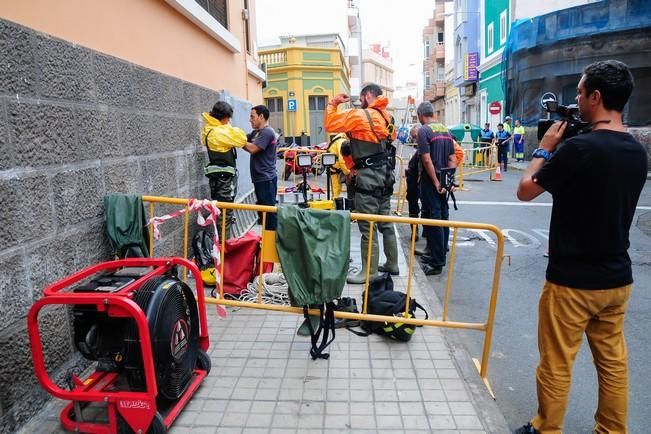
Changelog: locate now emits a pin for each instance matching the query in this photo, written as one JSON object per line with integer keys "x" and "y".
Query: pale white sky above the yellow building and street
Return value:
{"x": 398, "y": 24}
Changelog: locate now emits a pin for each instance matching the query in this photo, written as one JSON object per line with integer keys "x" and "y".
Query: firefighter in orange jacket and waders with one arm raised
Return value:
{"x": 371, "y": 132}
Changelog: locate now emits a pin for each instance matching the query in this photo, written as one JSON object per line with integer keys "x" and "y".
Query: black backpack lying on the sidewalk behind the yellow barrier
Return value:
{"x": 383, "y": 300}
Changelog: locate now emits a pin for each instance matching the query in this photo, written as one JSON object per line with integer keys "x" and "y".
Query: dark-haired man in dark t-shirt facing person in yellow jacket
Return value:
{"x": 262, "y": 146}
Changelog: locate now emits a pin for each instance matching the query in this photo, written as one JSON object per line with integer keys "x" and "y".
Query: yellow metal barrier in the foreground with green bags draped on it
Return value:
{"x": 270, "y": 254}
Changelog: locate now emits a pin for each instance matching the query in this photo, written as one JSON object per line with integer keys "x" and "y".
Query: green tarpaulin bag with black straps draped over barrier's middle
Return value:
{"x": 314, "y": 246}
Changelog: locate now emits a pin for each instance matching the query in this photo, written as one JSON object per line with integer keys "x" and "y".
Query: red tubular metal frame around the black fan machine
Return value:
{"x": 138, "y": 409}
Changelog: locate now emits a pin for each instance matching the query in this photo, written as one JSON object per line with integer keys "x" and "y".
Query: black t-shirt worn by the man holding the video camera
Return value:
{"x": 595, "y": 180}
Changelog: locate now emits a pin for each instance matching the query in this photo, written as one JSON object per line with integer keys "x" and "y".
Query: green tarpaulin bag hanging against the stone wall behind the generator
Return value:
{"x": 125, "y": 221}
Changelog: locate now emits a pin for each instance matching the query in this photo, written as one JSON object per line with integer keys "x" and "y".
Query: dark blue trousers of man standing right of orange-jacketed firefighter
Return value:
{"x": 435, "y": 206}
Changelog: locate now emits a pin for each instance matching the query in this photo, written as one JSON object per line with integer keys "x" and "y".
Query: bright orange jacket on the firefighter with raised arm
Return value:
{"x": 355, "y": 123}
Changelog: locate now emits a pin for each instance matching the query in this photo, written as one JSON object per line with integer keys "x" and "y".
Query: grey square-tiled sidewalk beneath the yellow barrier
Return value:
{"x": 263, "y": 380}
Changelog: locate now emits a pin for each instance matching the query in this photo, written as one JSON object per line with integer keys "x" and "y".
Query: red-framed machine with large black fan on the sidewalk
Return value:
{"x": 148, "y": 336}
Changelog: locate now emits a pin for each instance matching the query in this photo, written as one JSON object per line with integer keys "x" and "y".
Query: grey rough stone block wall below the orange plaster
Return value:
{"x": 75, "y": 125}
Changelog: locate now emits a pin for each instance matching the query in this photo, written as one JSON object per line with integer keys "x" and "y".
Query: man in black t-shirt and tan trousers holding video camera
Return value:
{"x": 595, "y": 180}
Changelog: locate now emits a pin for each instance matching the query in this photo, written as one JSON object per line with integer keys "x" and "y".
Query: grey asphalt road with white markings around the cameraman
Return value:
{"x": 514, "y": 351}
